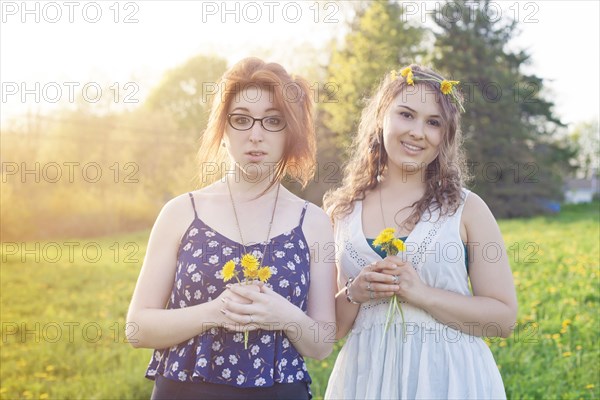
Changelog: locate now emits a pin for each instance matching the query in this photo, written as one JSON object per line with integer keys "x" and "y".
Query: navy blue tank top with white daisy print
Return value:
{"x": 218, "y": 355}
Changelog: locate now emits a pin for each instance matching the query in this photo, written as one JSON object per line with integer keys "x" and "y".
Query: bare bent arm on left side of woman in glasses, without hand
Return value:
{"x": 153, "y": 325}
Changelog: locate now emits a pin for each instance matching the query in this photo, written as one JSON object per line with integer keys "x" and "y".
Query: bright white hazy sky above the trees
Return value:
{"x": 52, "y": 52}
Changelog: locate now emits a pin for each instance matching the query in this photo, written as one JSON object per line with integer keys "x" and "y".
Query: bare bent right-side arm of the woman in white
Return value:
{"x": 492, "y": 310}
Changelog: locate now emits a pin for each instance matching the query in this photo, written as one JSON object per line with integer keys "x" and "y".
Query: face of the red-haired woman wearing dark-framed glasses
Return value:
{"x": 256, "y": 150}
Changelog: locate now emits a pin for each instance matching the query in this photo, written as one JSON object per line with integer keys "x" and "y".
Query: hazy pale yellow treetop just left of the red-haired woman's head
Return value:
{"x": 184, "y": 92}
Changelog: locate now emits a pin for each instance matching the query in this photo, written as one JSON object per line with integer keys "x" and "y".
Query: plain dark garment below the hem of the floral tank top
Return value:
{"x": 168, "y": 389}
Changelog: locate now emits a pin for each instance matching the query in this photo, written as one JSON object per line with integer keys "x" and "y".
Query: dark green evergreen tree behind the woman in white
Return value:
{"x": 509, "y": 128}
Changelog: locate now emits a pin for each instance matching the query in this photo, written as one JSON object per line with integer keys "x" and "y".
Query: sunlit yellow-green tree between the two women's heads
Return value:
{"x": 380, "y": 40}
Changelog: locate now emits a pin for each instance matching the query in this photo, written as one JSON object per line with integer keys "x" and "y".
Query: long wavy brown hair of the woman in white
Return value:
{"x": 444, "y": 177}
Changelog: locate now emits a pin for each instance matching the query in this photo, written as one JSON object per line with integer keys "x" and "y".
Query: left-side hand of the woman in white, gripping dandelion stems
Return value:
{"x": 375, "y": 281}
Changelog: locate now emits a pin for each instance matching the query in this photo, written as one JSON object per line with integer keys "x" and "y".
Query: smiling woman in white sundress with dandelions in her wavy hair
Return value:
{"x": 405, "y": 175}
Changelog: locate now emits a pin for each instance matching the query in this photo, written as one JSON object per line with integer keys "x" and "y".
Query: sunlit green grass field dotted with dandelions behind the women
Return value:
{"x": 63, "y": 307}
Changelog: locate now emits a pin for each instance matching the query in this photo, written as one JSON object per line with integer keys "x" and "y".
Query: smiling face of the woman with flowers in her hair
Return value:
{"x": 412, "y": 129}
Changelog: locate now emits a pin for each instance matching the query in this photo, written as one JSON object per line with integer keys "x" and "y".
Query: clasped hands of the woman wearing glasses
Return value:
{"x": 260, "y": 308}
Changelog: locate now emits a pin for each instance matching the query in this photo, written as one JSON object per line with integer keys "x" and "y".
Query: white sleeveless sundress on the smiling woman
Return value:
{"x": 432, "y": 360}
